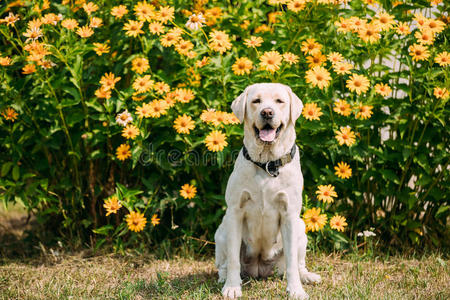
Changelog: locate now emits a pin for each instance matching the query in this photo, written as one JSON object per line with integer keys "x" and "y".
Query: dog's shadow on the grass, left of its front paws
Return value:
{"x": 202, "y": 285}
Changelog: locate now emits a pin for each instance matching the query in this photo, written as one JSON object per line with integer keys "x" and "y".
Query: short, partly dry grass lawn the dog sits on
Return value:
{"x": 143, "y": 277}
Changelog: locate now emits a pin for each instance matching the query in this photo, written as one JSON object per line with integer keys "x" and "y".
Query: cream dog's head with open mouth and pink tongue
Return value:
{"x": 267, "y": 108}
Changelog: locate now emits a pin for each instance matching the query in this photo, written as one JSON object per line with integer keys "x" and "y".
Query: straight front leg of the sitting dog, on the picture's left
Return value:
{"x": 233, "y": 222}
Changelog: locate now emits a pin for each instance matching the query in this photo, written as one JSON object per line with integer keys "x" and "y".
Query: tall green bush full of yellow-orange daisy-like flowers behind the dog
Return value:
{"x": 116, "y": 114}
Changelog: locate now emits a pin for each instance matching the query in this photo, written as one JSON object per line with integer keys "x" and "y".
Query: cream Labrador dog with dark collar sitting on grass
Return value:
{"x": 262, "y": 228}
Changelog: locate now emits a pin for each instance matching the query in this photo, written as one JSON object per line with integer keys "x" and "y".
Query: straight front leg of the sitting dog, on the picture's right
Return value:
{"x": 289, "y": 233}
